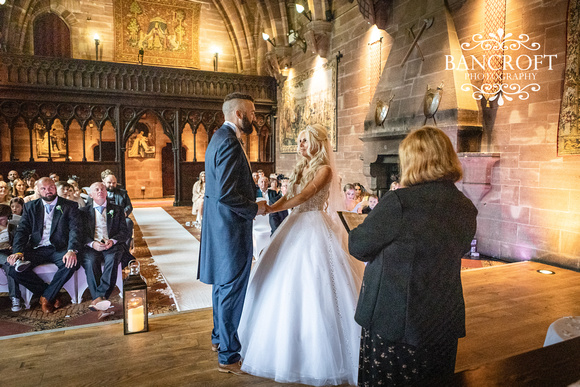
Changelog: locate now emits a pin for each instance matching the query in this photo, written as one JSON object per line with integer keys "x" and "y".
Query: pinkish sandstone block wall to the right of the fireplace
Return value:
{"x": 532, "y": 210}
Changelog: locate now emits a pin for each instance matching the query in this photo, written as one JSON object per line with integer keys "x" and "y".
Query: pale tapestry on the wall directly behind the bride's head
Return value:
{"x": 308, "y": 98}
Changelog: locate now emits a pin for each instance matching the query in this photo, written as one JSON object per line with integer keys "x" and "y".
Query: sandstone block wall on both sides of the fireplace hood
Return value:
{"x": 530, "y": 208}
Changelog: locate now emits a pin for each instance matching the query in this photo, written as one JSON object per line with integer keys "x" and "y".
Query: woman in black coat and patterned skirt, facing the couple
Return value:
{"x": 411, "y": 303}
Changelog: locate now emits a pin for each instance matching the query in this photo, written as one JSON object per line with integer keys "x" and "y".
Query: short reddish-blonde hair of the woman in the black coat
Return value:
{"x": 427, "y": 154}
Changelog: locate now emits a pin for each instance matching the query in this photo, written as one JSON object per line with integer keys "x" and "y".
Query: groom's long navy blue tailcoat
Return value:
{"x": 228, "y": 210}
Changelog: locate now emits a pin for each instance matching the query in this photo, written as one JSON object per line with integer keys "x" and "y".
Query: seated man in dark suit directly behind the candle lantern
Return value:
{"x": 104, "y": 234}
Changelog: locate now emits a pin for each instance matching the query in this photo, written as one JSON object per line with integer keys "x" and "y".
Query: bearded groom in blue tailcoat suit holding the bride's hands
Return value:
{"x": 226, "y": 235}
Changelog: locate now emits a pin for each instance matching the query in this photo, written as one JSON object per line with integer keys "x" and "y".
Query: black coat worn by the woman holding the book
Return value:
{"x": 413, "y": 242}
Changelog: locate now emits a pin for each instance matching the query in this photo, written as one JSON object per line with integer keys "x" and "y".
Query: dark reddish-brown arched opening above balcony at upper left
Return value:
{"x": 51, "y": 36}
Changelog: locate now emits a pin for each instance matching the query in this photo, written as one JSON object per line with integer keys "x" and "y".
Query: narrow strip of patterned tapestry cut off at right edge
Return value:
{"x": 569, "y": 125}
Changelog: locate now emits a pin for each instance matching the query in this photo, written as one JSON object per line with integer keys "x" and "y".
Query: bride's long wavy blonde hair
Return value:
{"x": 317, "y": 137}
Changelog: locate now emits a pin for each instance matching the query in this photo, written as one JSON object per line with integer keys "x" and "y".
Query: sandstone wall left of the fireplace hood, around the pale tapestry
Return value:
{"x": 351, "y": 35}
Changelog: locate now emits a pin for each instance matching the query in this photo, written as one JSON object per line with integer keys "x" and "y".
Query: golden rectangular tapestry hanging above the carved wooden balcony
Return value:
{"x": 166, "y": 30}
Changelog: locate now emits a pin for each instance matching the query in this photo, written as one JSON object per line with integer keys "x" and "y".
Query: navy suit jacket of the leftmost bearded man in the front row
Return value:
{"x": 65, "y": 230}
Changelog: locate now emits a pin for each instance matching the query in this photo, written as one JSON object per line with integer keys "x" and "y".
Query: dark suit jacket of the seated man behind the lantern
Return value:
{"x": 116, "y": 224}
